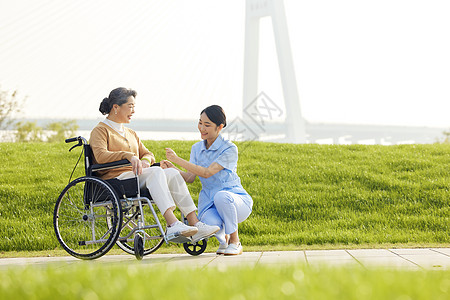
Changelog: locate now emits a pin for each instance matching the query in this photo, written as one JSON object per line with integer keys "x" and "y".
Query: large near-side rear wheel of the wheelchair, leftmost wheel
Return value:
{"x": 87, "y": 218}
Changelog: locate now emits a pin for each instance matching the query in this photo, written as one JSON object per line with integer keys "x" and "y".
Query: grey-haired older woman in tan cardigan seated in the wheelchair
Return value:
{"x": 111, "y": 141}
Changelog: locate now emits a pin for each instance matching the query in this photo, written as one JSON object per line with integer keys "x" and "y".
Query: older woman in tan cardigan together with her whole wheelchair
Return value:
{"x": 119, "y": 166}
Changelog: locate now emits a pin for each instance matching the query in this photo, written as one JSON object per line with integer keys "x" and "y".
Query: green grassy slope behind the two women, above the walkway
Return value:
{"x": 303, "y": 194}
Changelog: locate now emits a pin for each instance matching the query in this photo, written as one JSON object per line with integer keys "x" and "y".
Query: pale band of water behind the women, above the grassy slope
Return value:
{"x": 315, "y": 133}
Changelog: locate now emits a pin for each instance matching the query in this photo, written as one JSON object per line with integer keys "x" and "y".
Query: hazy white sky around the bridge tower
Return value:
{"x": 371, "y": 62}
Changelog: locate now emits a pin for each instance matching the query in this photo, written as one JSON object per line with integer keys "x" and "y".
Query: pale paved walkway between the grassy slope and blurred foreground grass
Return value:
{"x": 410, "y": 259}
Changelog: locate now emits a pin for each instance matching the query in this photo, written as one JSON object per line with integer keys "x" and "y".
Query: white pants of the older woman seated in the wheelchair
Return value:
{"x": 167, "y": 188}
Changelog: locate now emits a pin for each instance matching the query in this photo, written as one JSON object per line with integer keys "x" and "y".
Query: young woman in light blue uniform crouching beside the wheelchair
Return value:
{"x": 222, "y": 200}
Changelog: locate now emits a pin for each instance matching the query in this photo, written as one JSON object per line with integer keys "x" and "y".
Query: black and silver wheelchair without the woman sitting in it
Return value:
{"x": 92, "y": 214}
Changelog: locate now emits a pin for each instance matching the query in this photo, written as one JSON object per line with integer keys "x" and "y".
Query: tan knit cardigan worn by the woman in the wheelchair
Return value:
{"x": 108, "y": 146}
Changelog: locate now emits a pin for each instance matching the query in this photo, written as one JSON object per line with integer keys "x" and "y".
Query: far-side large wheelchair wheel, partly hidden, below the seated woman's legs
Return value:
{"x": 153, "y": 237}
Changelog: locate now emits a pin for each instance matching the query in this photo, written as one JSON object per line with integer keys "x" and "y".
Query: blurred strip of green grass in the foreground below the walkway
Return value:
{"x": 136, "y": 280}
